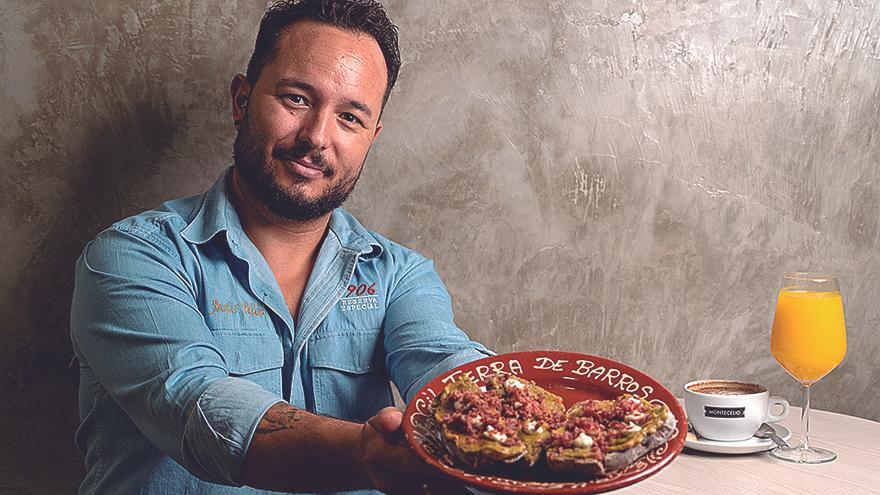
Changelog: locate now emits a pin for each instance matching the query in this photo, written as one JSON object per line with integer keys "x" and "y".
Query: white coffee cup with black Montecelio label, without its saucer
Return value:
{"x": 730, "y": 410}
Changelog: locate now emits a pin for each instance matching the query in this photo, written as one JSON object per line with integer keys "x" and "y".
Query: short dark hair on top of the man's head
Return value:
{"x": 366, "y": 16}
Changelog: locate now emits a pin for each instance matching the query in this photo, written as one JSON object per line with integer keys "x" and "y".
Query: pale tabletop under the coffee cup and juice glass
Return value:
{"x": 856, "y": 470}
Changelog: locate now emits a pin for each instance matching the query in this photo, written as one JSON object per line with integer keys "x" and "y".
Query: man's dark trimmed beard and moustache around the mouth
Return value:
{"x": 254, "y": 168}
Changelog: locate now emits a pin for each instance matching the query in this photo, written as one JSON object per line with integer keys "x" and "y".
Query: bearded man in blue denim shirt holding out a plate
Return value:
{"x": 219, "y": 336}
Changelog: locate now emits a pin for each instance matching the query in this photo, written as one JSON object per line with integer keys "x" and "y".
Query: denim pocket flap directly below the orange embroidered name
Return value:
{"x": 249, "y": 351}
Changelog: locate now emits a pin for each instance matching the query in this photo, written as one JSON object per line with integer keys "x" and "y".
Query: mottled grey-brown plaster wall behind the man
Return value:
{"x": 628, "y": 179}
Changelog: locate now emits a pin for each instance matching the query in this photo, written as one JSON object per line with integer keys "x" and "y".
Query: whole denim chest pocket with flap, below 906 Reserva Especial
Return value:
{"x": 348, "y": 374}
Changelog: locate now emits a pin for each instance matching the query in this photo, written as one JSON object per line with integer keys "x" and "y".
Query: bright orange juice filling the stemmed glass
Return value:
{"x": 809, "y": 335}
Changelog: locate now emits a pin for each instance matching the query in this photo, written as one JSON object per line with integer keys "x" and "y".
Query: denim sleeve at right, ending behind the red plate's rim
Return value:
{"x": 421, "y": 338}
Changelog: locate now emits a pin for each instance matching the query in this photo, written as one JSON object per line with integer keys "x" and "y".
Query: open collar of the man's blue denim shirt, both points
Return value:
{"x": 217, "y": 213}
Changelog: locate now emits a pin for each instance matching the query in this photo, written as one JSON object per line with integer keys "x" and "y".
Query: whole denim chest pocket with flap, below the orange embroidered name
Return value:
{"x": 253, "y": 355}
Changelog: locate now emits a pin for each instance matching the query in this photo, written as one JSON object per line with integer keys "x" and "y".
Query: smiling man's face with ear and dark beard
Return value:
{"x": 310, "y": 119}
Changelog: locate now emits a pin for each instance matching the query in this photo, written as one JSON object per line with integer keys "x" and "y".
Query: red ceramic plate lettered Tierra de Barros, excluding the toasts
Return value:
{"x": 572, "y": 376}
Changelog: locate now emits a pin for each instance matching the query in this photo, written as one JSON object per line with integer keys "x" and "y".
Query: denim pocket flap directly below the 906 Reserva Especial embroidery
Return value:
{"x": 351, "y": 352}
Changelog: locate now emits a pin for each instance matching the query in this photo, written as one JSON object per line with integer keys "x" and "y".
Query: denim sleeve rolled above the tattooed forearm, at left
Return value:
{"x": 135, "y": 323}
